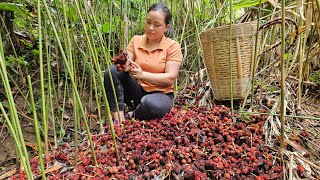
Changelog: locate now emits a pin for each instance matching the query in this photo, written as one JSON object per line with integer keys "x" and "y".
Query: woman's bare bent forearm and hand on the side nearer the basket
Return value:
{"x": 161, "y": 79}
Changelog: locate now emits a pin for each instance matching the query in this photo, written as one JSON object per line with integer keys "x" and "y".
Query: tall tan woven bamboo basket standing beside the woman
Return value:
{"x": 215, "y": 43}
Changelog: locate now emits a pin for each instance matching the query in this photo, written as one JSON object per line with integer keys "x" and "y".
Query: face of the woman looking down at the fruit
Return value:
{"x": 155, "y": 25}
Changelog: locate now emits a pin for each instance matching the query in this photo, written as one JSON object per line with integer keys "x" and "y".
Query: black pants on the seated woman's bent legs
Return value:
{"x": 147, "y": 105}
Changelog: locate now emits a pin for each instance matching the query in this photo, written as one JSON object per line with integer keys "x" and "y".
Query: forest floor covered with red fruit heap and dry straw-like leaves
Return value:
{"x": 181, "y": 146}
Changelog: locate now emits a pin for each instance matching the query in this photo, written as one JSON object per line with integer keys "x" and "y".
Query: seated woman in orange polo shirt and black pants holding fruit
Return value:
{"x": 147, "y": 80}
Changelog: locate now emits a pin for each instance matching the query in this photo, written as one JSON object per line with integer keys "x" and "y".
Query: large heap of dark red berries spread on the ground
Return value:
{"x": 193, "y": 143}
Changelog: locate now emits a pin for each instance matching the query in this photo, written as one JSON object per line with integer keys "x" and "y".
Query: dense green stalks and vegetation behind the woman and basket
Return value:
{"x": 53, "y": 53}
